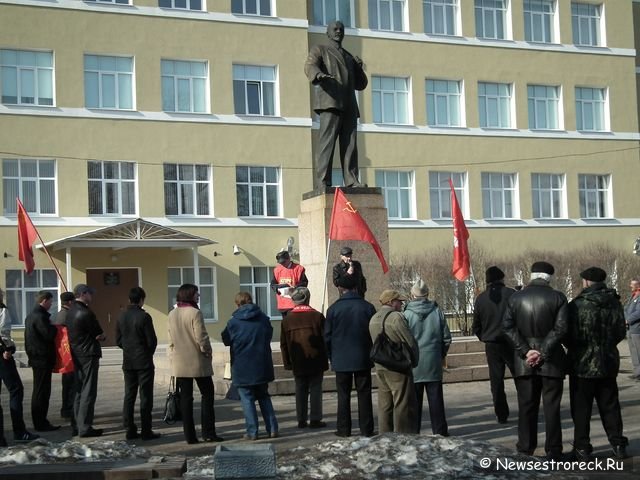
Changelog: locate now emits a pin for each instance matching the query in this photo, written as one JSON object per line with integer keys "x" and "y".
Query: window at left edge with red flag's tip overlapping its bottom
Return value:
{"x": 33, "y": 181}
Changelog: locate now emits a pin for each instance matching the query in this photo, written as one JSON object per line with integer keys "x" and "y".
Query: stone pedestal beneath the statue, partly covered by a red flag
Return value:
{"x": 313, "y": 233}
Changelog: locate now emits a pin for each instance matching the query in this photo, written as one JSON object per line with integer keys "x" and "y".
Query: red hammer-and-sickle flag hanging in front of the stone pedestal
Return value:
{"x": 348, "y": 224}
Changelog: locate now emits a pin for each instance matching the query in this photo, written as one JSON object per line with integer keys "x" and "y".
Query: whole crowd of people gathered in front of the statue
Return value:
{"x": 533, "y": 331}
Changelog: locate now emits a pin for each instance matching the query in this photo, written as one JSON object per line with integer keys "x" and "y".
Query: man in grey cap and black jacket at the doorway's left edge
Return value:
{"x": 85, "y": 335}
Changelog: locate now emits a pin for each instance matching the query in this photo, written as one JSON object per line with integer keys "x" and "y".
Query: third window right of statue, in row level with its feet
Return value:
{"x": 499, "y": 199}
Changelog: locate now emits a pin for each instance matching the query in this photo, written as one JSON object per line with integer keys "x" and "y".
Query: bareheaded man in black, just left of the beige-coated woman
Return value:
{"x": 136, "y": 337}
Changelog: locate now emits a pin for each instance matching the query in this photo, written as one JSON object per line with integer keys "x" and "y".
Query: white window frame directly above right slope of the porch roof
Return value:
{"x": 188, "y": 188}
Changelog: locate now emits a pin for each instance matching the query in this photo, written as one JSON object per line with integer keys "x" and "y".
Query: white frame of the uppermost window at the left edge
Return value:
{"x": 39, "y": 74}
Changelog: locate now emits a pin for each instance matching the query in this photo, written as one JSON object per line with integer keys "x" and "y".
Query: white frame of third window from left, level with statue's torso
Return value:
{"x": 194, "y": 89}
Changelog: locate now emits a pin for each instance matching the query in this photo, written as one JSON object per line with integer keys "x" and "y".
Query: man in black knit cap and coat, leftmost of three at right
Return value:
{"x": 488, "y": 311}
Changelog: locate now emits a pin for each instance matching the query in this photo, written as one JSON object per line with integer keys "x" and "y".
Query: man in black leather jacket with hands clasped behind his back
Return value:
{"x": 535, "y": 322}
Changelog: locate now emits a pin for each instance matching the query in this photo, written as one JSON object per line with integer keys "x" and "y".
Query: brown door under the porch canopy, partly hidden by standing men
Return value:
{"x": 111, "y": 297}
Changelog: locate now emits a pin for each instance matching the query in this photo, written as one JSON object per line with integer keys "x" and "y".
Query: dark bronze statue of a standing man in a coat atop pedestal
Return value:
{"x": 337, "y": 75}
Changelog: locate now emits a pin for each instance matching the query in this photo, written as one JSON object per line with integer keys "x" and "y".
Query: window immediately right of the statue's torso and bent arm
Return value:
{"x": 390, "y": 100}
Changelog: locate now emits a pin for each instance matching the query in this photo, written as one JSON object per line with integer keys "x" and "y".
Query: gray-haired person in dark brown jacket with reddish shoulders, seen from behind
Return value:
{"x": 303, "y": 351}
